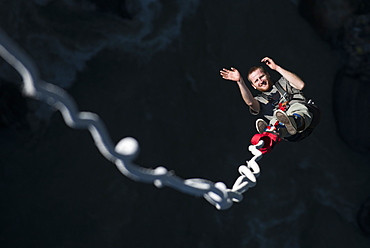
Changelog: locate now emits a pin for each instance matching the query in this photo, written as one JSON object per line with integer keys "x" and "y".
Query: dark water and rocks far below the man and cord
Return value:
{"x": 150, "y": 69}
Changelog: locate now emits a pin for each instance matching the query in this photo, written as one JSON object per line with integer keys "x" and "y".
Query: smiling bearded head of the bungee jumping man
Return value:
{"x": 260, "y": 79}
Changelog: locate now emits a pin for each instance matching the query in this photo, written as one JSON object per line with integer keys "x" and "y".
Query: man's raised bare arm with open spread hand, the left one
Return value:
{"x": 247, "y": 96}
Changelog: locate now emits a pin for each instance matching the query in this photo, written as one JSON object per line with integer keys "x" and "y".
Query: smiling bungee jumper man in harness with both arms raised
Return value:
{"x": 282, "y": 103}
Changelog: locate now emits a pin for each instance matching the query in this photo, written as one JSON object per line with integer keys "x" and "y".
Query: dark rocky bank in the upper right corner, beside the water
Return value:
{"x": 345, "y": 25}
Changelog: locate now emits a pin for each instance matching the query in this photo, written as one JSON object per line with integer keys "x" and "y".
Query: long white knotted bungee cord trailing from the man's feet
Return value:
{"x": 123, "y": 154}
